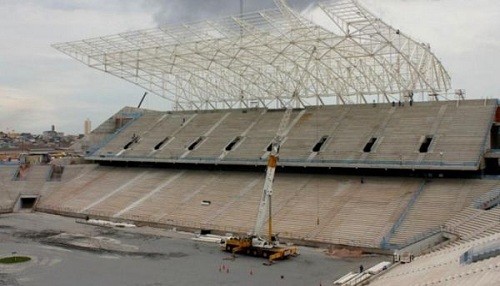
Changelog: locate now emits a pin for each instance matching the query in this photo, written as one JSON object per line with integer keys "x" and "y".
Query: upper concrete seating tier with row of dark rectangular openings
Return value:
{"x": 458, "y": 132}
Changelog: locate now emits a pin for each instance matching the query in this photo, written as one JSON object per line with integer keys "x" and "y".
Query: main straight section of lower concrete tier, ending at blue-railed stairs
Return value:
{"x": 316, "y": 207}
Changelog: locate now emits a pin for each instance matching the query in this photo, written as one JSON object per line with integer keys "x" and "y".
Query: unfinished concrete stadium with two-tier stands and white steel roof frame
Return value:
{"x": 376, "y": 152}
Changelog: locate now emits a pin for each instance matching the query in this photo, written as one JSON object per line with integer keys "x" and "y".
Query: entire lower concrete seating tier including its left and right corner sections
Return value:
{"x": 327, "y": 208}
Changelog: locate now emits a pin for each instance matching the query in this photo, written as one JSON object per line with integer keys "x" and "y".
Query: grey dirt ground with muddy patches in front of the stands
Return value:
{"x": 64, "y": 252}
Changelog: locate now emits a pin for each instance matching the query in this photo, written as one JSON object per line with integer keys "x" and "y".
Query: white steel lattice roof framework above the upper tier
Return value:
{"x": 263, "y": 58}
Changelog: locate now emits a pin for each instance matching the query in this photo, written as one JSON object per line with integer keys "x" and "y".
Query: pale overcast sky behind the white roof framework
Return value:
{"x": 40, "y": 86}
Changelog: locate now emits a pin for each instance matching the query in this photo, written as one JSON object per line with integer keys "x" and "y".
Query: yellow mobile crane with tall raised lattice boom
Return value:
{"x": 255, "y": 244}
